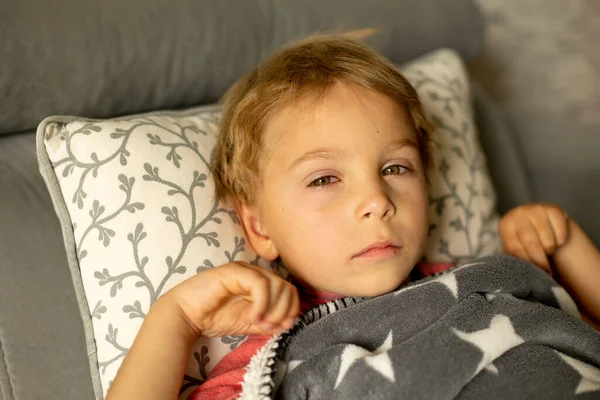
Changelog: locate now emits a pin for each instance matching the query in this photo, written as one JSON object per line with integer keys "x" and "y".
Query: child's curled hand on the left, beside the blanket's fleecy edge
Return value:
{"x": 236, "y": 299}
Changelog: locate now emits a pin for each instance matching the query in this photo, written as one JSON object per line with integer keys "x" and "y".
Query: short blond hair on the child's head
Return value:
{"x": 304, "y": 69}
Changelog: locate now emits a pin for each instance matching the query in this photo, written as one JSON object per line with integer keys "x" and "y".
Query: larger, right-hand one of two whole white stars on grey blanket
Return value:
{"x": 493, "y": 341}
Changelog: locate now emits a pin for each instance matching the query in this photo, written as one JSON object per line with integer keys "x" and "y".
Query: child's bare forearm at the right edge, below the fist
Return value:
{"x": 577, "y": 268}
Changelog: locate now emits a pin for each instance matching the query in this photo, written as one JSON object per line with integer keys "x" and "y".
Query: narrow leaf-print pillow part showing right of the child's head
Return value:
{"x": 462, "y": 214}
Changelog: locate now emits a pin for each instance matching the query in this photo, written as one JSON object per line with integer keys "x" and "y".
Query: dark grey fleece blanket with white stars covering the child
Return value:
{"x": 495, "y": 328}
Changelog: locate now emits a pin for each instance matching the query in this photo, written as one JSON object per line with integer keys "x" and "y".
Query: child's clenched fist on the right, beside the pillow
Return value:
{"x": 533, "y": 232}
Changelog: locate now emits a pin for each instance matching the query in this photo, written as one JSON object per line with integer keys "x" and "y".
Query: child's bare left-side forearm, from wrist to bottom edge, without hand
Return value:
{"x": 155, "y": 364}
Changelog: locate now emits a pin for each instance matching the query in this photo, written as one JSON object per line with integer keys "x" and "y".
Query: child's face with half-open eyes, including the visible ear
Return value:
{"x": 342, "y": 176}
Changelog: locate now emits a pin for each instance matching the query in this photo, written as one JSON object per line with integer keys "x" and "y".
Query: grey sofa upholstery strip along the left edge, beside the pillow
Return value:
{"x": 42, "y": 346}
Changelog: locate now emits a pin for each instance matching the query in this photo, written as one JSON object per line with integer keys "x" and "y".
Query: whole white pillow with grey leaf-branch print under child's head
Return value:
{"x": 135, "y": 199}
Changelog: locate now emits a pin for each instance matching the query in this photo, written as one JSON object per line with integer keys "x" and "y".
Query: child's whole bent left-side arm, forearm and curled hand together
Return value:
{"x": 233, "y": 299}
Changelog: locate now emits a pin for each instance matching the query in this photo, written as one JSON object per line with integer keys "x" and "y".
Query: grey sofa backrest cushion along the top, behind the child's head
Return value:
{"x": 106, "y": 58}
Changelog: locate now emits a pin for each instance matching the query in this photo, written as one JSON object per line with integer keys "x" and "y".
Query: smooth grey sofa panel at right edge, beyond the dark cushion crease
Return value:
{"x": 561, "y": 159}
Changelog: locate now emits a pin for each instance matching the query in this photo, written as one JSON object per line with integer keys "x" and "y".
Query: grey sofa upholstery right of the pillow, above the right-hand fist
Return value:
{"x": 537, "y": 158}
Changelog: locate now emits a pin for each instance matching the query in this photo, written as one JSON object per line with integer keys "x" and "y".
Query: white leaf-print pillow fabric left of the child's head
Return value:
{"x": 104, "y": 213}
